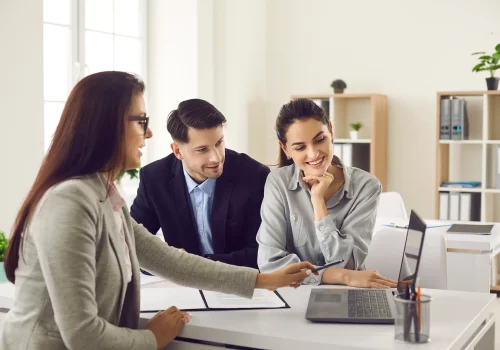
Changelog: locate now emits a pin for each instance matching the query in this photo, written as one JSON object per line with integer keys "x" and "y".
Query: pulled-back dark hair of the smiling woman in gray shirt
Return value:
{"x": 298, "y": 109}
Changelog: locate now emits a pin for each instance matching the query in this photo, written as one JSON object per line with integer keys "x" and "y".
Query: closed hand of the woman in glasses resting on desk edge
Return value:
{"x": 167, "y": 324}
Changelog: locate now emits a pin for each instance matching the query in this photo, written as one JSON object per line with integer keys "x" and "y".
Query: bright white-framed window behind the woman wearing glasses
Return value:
{"x": 82, "y": 37}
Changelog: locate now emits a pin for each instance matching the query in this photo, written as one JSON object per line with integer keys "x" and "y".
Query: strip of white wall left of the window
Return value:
{"x": 21, "y": 101}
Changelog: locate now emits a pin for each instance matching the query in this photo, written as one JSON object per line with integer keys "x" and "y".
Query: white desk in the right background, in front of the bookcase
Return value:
{"x": 470, "y": 258}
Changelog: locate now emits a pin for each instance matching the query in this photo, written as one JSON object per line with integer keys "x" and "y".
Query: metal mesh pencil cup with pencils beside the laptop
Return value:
{"x": 412, "y": 319}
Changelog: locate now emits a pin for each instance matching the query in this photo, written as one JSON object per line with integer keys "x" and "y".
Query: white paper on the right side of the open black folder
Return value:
{"x": 261, "y": 299}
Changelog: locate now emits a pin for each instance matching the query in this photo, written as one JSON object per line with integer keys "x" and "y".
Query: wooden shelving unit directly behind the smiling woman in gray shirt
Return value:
{"x": 369, "y": 109}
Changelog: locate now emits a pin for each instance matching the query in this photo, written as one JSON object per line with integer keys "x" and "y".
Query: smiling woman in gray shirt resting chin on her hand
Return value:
{"x": 314, "y": 207}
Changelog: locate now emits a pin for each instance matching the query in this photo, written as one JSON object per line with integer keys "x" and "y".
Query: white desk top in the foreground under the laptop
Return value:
{"x": 455, "y": 316}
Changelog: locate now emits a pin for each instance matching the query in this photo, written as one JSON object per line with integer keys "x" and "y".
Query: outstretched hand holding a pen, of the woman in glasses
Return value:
{"x": 291, "y": 275}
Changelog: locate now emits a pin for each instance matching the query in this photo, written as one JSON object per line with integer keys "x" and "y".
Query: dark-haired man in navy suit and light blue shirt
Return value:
{"x": 205, "y": 198}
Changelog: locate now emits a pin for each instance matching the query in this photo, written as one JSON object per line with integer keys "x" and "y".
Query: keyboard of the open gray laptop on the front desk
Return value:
{"x": 368, "y": 304}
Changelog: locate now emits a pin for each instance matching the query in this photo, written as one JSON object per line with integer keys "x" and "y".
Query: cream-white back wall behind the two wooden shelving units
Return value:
{"x": 407, "y": 50}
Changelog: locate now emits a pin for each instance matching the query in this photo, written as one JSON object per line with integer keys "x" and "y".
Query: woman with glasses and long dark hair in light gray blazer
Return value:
{"x": 75, "y": 252}
